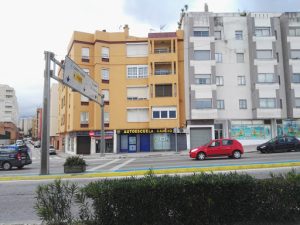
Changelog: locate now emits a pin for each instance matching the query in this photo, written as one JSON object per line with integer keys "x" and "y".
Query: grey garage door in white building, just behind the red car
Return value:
{"x": 200, "y": 136}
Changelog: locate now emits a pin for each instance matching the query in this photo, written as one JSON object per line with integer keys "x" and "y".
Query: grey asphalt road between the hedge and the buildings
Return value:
{"x": 17, "y": 198}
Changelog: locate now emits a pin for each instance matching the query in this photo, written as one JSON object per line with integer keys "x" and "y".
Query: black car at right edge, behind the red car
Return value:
{"x": 280, "y": 144}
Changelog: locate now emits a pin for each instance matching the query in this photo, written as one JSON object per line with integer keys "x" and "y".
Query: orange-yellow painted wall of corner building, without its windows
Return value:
{"x": 118, "y": 106}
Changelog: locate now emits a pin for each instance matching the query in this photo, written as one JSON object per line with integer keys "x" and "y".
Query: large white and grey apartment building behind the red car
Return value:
{"x": 236, "y": 74}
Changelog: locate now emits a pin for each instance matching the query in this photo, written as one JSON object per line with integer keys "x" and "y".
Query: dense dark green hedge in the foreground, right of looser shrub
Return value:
{"x": 198, "y": 199}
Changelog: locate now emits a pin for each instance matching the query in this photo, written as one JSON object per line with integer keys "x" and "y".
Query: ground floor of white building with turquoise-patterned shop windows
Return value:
{"x": 248, "y": 132}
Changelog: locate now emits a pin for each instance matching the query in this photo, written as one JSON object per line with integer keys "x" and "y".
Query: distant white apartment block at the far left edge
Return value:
{"x": 9, "y": 111}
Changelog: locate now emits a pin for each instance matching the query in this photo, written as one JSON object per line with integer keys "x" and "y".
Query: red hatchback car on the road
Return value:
{"x": 219, "y": 147}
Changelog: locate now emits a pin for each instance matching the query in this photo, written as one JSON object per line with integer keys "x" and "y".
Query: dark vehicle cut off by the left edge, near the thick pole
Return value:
{"x": 14, "y": 156}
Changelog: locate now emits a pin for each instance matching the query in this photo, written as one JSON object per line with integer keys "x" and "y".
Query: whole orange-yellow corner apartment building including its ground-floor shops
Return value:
{"x": 142, "y": 82}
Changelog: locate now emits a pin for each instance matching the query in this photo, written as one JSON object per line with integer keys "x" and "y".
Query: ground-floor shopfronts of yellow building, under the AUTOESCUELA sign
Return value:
{"x": 123, "y": 141}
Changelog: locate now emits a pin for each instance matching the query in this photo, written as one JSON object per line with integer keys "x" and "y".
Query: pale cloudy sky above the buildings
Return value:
{"x": 30, "y": 27}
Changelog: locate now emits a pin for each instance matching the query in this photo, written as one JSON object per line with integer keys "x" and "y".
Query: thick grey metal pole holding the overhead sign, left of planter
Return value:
{"x": 46, "y": 115}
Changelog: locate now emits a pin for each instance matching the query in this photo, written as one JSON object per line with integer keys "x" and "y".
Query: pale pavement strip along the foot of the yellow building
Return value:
{"x": 184, "y": 153}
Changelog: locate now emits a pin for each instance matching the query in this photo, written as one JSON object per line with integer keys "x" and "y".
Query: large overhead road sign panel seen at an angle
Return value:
{"x": 79, "y": 80}
